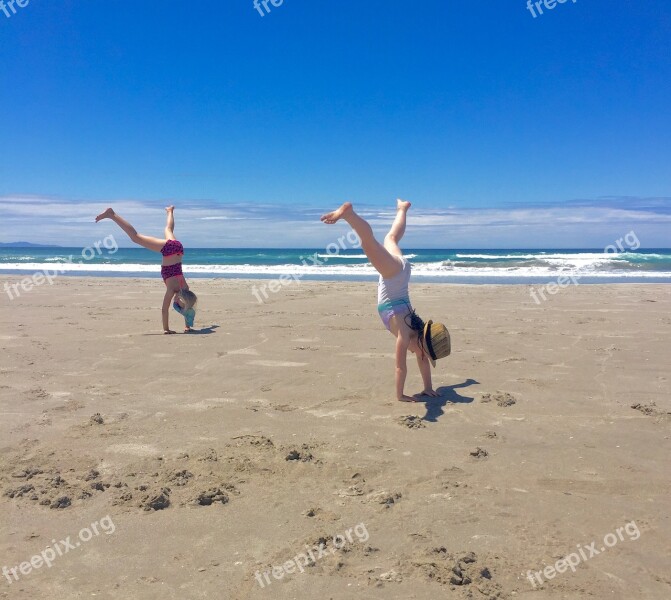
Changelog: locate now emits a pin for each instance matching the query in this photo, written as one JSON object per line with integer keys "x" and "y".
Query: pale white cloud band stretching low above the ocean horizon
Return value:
{"x": 206, "y": 223}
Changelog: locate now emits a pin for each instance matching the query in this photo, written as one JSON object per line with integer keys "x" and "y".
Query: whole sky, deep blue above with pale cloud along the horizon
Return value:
{"x": 505, "y": 130}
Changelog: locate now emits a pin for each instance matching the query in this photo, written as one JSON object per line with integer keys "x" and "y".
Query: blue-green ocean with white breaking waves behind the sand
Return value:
{"x": 440, "y": 266}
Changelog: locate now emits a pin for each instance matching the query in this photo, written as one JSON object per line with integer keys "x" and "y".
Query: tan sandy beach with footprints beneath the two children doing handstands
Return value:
{"x": 144, "y": 466}
